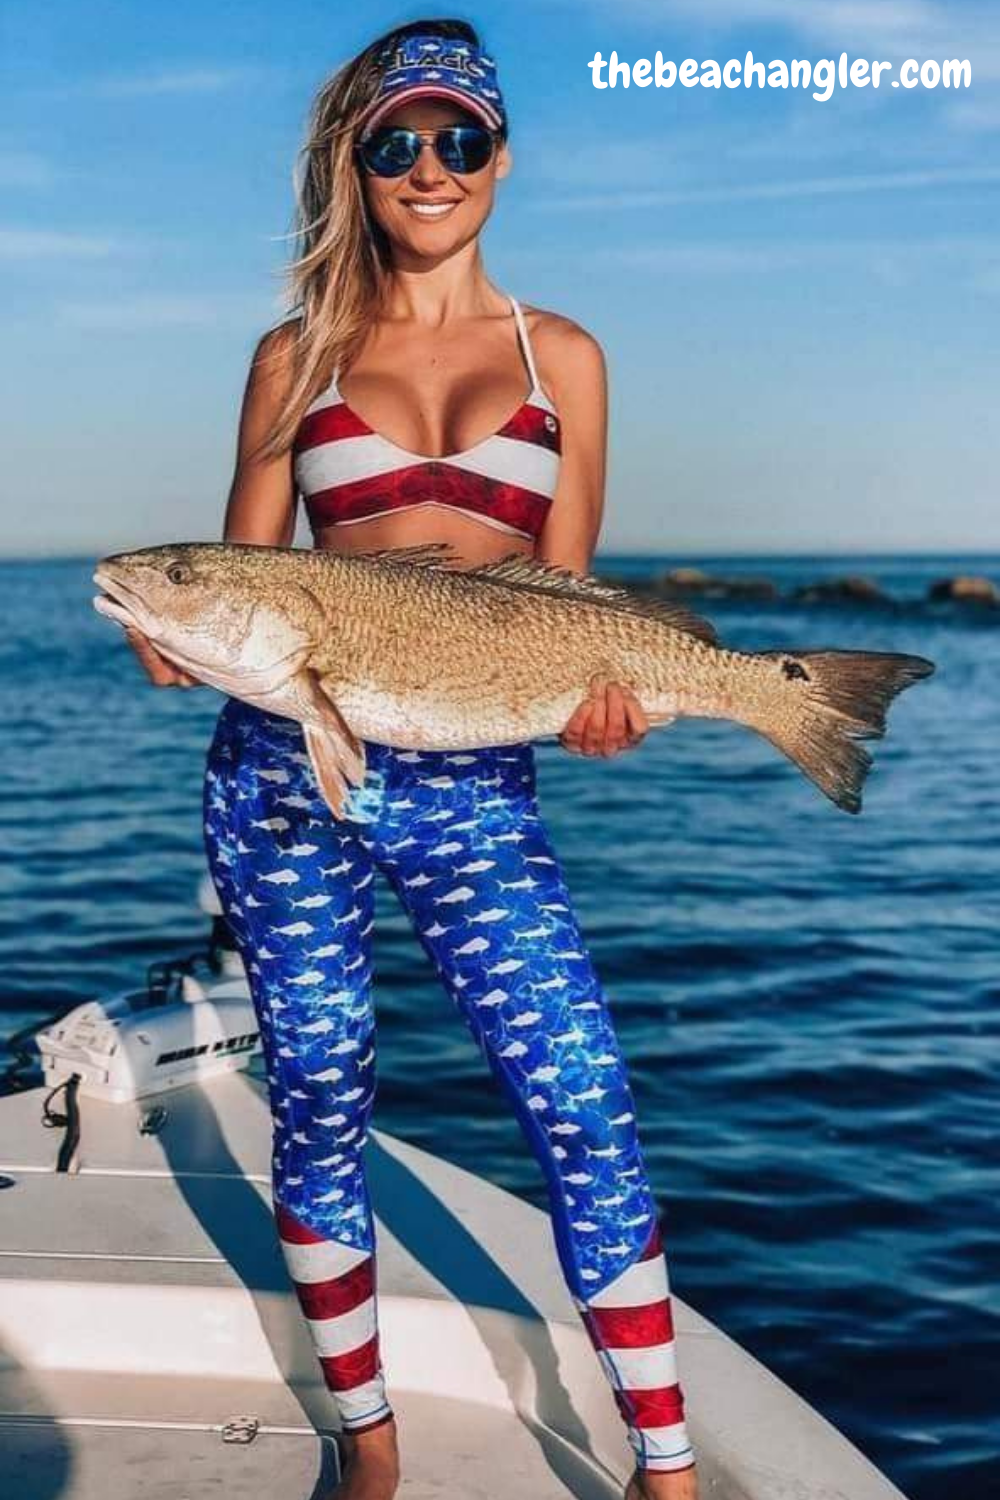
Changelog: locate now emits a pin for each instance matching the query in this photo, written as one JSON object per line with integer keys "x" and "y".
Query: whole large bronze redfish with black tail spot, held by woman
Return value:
{"x": 404, "y": 649}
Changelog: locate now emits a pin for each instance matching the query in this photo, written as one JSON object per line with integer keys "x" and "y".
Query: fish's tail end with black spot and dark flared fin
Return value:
{"x": 828, "y": 701}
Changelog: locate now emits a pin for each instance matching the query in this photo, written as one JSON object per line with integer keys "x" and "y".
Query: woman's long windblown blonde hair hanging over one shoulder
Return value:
{"x": 337, "y": 281}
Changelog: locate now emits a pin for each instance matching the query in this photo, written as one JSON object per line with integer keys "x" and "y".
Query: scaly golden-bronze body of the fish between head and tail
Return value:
{"x": 431, "y": 659}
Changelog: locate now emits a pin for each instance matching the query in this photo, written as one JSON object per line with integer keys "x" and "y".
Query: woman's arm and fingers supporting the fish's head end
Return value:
{"x": 262, "y": 505}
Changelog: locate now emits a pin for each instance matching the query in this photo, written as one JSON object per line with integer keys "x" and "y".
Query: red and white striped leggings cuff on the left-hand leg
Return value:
{"x": 335, "y": 1285}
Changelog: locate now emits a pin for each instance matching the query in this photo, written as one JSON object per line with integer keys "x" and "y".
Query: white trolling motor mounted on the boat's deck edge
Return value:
{"x": 194, "y": 1021}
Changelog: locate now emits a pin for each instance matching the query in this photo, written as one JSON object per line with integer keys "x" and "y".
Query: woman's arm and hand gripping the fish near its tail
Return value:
{"x": 612, "y": 718}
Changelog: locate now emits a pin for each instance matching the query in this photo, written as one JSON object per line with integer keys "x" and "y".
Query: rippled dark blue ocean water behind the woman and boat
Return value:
{"x": 807, "y": 1000}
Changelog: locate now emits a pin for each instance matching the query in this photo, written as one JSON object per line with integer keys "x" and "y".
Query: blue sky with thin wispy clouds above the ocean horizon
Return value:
{"x": 800, "y": 301}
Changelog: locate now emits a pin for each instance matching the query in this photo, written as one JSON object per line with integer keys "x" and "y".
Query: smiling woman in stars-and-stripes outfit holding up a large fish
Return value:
{"x": 374, "y": 406}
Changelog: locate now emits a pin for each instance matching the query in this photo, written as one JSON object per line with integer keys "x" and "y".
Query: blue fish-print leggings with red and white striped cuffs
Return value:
{"x": 463, "y": 844}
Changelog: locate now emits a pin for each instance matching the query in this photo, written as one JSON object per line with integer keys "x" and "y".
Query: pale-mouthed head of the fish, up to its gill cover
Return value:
{"x": 233, "y": 616}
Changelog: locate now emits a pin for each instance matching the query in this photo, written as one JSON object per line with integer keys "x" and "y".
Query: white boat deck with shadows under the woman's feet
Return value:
{"x": 145, "y": 1306}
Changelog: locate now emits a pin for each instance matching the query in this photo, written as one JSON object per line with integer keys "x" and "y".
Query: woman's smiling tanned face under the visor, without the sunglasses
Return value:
{"x": 431, "y": 212}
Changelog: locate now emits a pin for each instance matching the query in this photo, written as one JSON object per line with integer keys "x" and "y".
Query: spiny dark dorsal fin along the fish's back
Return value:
{"x": 519, "y": 571}
